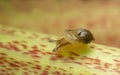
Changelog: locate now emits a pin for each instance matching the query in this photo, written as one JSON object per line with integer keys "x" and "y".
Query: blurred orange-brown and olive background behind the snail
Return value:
{"x": 101, "y": 17}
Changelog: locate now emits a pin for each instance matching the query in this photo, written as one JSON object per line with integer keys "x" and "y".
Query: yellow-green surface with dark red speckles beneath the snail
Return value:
{"x": 25, "y": 52}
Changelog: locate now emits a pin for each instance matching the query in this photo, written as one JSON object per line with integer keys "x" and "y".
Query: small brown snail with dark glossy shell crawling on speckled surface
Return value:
{"x": 76, "y": 36}
